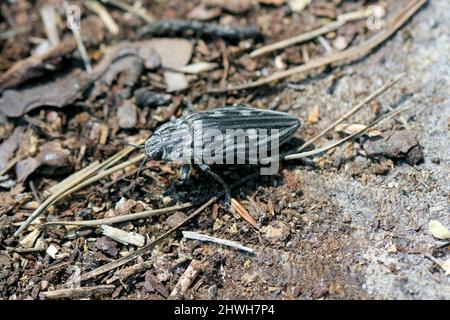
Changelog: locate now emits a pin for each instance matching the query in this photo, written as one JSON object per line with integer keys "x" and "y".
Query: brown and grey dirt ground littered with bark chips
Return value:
{"x": 343, "y": 225}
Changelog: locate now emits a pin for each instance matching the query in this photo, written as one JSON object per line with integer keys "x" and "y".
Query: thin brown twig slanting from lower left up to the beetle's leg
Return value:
{"x": 120, "y": 262}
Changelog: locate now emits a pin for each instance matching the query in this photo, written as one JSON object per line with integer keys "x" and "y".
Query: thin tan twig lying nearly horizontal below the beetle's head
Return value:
{"x": 124, "y": 218}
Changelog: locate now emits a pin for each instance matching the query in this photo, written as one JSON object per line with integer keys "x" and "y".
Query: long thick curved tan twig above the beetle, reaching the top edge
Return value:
{"x": 348, "y": 55}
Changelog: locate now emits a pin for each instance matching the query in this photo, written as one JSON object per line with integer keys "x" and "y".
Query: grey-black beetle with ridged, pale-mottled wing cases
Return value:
{"x": 238, "y": 134}
